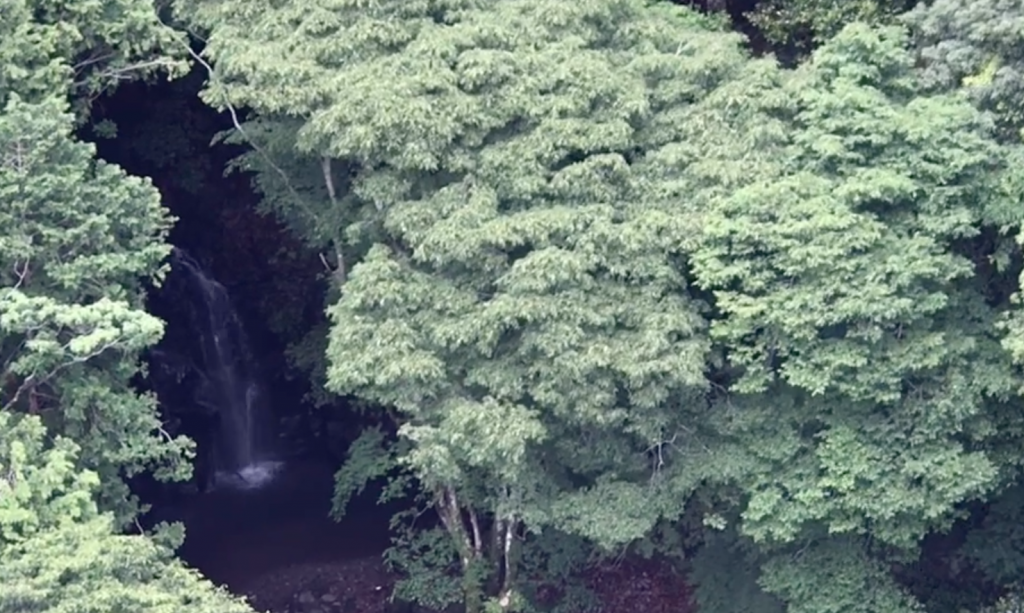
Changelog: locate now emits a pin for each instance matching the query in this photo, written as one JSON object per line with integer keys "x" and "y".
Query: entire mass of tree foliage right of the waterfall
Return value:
{"x": 608, "y": 261}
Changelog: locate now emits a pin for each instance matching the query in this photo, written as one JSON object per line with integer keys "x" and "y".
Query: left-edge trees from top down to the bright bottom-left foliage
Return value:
{"x": 79, "y": 239}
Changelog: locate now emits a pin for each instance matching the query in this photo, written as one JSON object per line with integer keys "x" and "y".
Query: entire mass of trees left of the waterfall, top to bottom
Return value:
{"x": 78, "y": 239}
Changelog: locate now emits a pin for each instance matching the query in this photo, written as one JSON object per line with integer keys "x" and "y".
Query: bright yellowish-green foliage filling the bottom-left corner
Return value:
{"x": 60, "y": 554}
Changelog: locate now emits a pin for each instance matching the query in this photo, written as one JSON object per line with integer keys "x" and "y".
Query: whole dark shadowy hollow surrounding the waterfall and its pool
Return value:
{"x": 223, "y": 361}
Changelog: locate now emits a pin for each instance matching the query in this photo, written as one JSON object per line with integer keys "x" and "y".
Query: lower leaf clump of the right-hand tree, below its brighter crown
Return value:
{"x": 857, "y": 485}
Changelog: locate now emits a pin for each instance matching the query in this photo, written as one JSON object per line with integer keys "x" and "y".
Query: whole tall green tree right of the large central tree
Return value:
{"x": 846, "y": 223}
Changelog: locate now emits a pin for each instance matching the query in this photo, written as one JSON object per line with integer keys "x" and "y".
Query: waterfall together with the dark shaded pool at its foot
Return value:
{"x": 262, "y": 508}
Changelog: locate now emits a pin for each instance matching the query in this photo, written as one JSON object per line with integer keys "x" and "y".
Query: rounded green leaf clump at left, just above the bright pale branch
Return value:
{"x": 83, "y": 227}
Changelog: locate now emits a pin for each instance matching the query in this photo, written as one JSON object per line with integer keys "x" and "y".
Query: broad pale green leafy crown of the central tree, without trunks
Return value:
{"x": 527, "y": 315}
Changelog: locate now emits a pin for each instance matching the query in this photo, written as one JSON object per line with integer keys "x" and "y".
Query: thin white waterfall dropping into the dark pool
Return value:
{"x": 230, "y": 386}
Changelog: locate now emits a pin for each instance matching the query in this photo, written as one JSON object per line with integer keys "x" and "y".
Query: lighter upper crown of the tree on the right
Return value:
{"x": 844, "y": 250}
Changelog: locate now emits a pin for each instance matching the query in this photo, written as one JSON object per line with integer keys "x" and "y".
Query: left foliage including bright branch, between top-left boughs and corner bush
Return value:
{"x": 78, "y": 236}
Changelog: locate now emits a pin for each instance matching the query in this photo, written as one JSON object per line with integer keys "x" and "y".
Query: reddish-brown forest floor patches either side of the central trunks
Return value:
{"x": 364, "y": 586}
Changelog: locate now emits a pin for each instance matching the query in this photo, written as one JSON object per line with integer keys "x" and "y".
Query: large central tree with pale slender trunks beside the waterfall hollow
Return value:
{"x": 520, "y": 306}
